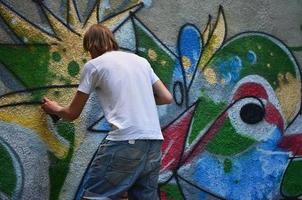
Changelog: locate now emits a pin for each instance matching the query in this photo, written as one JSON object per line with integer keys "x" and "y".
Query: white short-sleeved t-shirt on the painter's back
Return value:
{"x": 123, "y": 82}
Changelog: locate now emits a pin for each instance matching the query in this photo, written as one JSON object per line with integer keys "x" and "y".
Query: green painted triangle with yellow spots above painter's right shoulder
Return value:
{"x": 163, "y": 64}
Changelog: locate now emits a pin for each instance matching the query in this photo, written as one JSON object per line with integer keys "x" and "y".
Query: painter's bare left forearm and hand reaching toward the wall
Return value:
{"x": 68, "y": 113}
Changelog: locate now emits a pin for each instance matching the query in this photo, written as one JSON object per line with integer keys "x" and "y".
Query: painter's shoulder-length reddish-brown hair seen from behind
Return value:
{"x": 99, "y": 39}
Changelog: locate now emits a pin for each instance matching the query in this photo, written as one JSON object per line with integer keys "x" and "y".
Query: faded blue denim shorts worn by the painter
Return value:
{"x": 121, "y": 166}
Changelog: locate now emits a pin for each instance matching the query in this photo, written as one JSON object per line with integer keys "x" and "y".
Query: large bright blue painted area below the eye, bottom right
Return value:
{"x": 255, "y": 174}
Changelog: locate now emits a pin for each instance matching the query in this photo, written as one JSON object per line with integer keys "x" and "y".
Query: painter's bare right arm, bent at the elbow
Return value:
{"x": 161, "y": 93}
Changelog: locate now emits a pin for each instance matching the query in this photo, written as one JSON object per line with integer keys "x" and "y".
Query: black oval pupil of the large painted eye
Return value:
{"x": 252, "y": 113}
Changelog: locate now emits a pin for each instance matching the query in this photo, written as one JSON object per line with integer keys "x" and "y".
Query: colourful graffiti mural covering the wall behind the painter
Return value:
{"x": 227, "y": 133}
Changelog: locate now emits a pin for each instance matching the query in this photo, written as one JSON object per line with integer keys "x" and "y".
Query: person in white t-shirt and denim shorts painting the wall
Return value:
{"x": 128, "y": 90}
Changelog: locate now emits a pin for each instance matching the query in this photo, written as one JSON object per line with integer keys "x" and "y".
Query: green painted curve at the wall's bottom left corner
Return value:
{"x": 8, "y": 178}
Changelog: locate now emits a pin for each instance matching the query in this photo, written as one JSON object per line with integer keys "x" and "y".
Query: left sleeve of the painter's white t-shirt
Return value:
{"x": 88, "y": 79}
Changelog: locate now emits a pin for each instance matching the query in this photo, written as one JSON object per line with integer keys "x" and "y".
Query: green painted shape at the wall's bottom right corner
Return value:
{"x": 292, "y": 181}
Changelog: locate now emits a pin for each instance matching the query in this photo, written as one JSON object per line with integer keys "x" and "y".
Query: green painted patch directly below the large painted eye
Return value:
{"x": 228, "y": 142}
